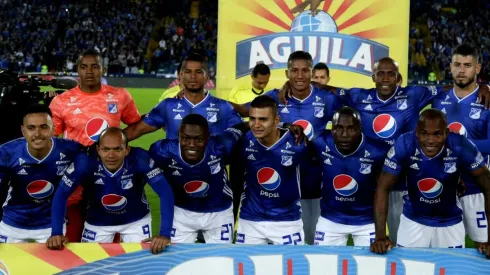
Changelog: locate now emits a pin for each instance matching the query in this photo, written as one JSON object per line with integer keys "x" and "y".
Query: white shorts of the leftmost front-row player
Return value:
{"x": 10, "y": 234}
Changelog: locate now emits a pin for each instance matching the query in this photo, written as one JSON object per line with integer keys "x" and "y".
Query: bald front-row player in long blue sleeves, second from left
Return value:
{"x": 117, "y": 199}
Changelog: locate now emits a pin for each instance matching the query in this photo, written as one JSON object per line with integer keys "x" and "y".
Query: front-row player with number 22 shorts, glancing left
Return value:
{"x": 270, "y": 210}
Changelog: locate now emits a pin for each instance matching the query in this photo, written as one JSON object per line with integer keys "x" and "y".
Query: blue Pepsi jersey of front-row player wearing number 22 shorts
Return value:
{"x": 272, "y": 190}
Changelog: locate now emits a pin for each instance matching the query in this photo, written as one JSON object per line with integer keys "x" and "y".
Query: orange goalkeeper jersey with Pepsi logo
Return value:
{"x": 83, "y": 116}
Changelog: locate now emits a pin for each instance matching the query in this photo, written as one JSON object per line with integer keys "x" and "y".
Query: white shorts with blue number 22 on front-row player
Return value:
{"x": 287, "y": 232}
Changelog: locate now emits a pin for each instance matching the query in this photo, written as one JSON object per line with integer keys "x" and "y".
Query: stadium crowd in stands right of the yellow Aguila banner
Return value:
{"x": 437, "y": 27}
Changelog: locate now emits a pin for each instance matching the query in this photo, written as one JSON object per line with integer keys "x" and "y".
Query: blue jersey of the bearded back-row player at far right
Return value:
{"x": 470, "y": 119}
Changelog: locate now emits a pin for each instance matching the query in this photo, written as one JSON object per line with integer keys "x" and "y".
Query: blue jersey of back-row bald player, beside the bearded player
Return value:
{"x": 386, "y": 120}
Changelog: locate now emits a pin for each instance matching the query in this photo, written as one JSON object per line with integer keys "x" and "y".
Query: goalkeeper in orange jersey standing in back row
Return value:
{"x": 82, "y": 113}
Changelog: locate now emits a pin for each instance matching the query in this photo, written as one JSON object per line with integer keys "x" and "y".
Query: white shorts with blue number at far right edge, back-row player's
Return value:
{"x": 474, "y": 218}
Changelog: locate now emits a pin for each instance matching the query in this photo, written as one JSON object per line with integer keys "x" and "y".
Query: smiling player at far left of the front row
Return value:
{"x": 35, "y": 165}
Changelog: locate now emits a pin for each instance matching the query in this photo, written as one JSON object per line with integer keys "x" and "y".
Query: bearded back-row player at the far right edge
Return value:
{"x": 467, "y": 117}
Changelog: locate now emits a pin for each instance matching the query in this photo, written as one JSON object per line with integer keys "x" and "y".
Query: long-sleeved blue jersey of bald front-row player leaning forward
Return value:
{"x": 115, "y": 198}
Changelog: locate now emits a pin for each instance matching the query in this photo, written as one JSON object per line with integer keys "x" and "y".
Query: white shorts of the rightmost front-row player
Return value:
{"x": 413, "y": 234}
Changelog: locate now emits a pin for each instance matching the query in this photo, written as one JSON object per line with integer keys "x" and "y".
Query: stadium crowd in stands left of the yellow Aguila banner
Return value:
{"x": 49, "y": 33}
